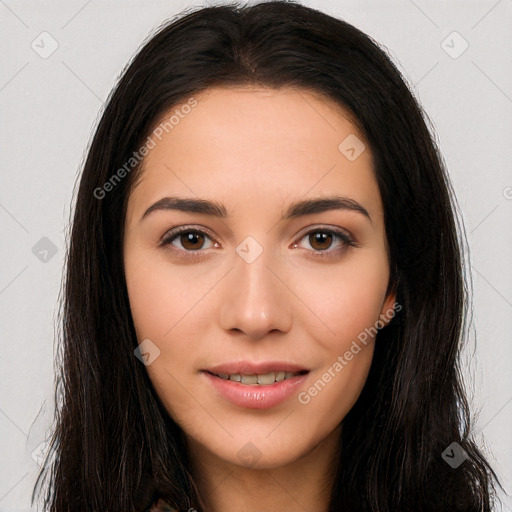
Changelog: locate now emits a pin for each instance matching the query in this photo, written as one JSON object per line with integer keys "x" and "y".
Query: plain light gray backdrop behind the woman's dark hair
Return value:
{"x": 50, "y": 105}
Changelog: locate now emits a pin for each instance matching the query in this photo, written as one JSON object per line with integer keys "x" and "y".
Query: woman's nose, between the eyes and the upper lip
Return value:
{"x": 255, "y": 298}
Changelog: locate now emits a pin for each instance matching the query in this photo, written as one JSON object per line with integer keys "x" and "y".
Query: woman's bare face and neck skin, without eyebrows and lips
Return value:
{"x": 256, "y": 151}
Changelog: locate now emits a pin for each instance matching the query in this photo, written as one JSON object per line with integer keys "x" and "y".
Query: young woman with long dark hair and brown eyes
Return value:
{"x": 264, "y": 300}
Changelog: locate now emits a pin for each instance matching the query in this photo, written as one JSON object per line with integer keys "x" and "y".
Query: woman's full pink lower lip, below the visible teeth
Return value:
{"x": 255, "y": 396}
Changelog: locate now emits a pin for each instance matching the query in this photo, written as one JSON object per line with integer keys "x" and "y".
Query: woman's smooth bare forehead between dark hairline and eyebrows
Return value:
{"x": 241, "y": 142}
